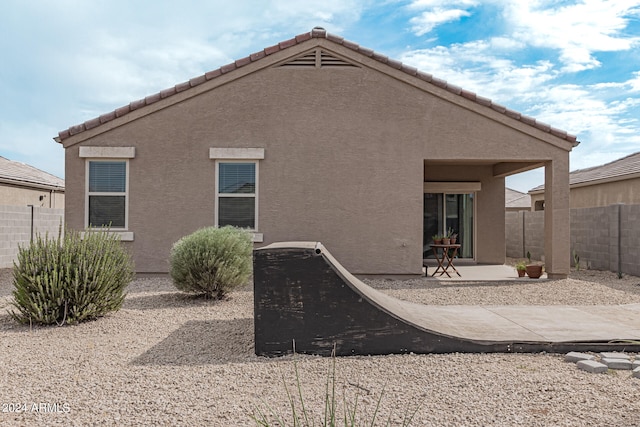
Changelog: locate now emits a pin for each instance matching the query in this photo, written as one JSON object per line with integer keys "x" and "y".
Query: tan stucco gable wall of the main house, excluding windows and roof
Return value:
{"x": 345, "y": 153}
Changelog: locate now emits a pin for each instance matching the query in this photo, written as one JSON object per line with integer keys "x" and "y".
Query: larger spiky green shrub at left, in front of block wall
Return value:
{"x": 70, "y": 279}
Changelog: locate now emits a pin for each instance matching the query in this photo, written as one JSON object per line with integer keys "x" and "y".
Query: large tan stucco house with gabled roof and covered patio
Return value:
{"x": 317, "y": 139}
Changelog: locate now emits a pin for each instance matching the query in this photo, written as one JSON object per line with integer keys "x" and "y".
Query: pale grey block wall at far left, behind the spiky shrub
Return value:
{"x": 15, "y": 228}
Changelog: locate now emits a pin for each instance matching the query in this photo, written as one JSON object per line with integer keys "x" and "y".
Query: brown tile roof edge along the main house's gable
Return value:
{"x": 317, "y": 32}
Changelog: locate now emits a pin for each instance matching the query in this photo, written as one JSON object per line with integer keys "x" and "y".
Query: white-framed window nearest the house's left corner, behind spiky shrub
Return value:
{"x": 107, "y": 193}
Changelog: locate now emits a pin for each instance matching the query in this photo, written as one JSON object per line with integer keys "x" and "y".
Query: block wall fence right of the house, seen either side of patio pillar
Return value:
{"x": 605, "y": 238}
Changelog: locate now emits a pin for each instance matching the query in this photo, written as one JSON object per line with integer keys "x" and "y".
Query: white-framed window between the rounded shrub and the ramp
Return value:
{"x": 236, "y": 190}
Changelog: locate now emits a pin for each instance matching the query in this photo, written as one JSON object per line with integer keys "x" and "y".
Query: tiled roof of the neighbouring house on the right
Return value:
{"x": 625, "y": 168}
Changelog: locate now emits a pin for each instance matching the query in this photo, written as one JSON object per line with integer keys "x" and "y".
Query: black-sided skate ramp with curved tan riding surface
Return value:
{"x": 303, "y": 295}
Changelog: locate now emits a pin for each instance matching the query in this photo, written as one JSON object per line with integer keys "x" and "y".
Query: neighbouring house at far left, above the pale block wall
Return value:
{"x": 23, "y": 185}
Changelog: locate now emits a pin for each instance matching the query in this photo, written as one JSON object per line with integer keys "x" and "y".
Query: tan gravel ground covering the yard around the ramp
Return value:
{"x": 168, "y": 359}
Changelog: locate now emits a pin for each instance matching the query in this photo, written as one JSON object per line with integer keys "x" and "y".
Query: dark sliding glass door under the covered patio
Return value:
{"x": 444, "y": 212}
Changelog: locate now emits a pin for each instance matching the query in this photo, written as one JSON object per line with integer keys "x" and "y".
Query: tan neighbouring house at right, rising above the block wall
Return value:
{"x": 604, "y": 185}
